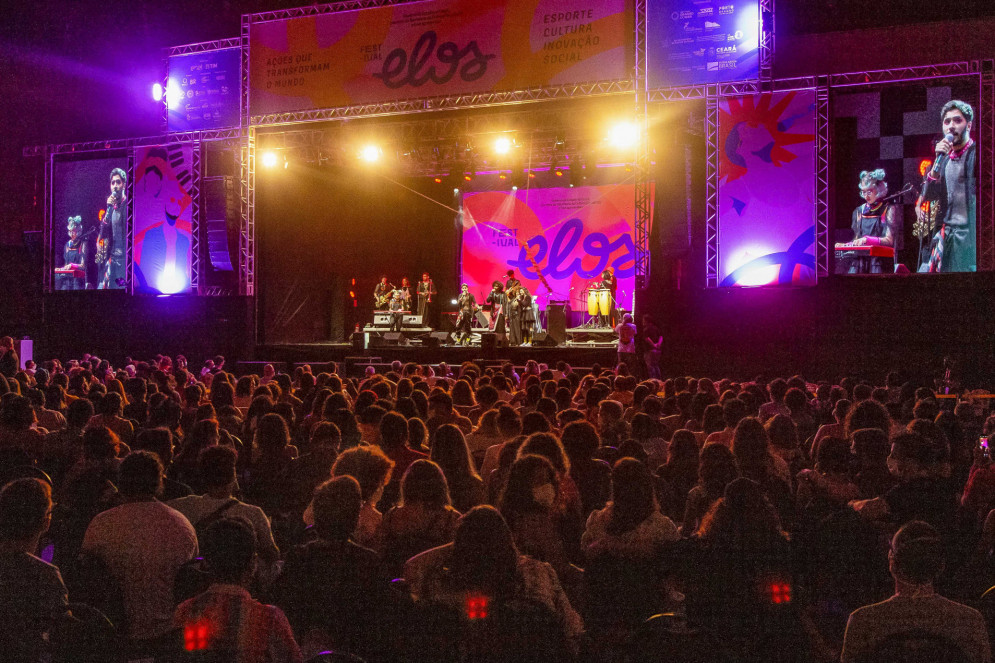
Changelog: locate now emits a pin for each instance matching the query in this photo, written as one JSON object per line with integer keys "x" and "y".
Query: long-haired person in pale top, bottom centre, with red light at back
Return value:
{"x": 483, "y": 559}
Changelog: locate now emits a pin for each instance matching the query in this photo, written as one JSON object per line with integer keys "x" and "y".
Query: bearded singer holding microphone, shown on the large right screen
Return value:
{"x": 952, "y": 185}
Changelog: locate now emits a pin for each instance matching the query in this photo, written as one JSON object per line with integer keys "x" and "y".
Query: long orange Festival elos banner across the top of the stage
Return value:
{"x": 437, "y": 47}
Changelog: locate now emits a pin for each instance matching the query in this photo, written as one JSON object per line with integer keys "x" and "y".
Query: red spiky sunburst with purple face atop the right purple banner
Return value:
{"x": 751, "y": 113}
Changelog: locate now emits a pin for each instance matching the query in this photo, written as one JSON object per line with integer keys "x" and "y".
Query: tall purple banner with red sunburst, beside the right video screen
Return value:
{"x": 767, "y": 189}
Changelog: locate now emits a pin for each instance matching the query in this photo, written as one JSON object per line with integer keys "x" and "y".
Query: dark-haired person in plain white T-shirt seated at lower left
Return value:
{"x": 143, "y": 543}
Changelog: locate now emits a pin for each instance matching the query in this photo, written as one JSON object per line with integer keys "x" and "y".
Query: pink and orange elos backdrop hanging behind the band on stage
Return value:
{"x": 558, "y": 241}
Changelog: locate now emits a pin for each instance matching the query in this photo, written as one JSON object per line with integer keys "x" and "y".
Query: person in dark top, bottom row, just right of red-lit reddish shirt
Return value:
{"x": 333, "y": 590}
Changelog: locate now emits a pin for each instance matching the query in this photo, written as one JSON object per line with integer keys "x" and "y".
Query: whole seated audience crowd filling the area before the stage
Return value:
{"x": 488, "y": 513}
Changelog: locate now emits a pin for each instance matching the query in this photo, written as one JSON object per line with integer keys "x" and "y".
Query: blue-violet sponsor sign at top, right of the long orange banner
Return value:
{"x": 692, "y": 42}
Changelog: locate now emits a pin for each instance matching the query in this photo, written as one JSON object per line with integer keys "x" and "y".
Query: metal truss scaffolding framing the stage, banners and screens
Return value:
{"x": 289, "y": 130}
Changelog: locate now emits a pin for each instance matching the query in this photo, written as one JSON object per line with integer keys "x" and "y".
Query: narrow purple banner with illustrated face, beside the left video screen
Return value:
{"x": 163, "y": 205}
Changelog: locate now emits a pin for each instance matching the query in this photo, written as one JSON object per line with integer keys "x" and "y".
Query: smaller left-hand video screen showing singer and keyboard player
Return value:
{"x": 90, "y": 223}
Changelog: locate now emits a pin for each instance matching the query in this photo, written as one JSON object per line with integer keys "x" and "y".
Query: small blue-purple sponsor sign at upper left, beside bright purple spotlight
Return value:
{"x": 204, "y": 90}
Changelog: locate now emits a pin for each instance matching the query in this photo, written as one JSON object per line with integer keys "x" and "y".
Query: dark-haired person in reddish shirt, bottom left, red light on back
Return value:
{"x": 225, "y": 619}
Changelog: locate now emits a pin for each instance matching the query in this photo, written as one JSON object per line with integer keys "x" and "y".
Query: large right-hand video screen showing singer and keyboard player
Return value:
{"x": 906, "y": 167}
